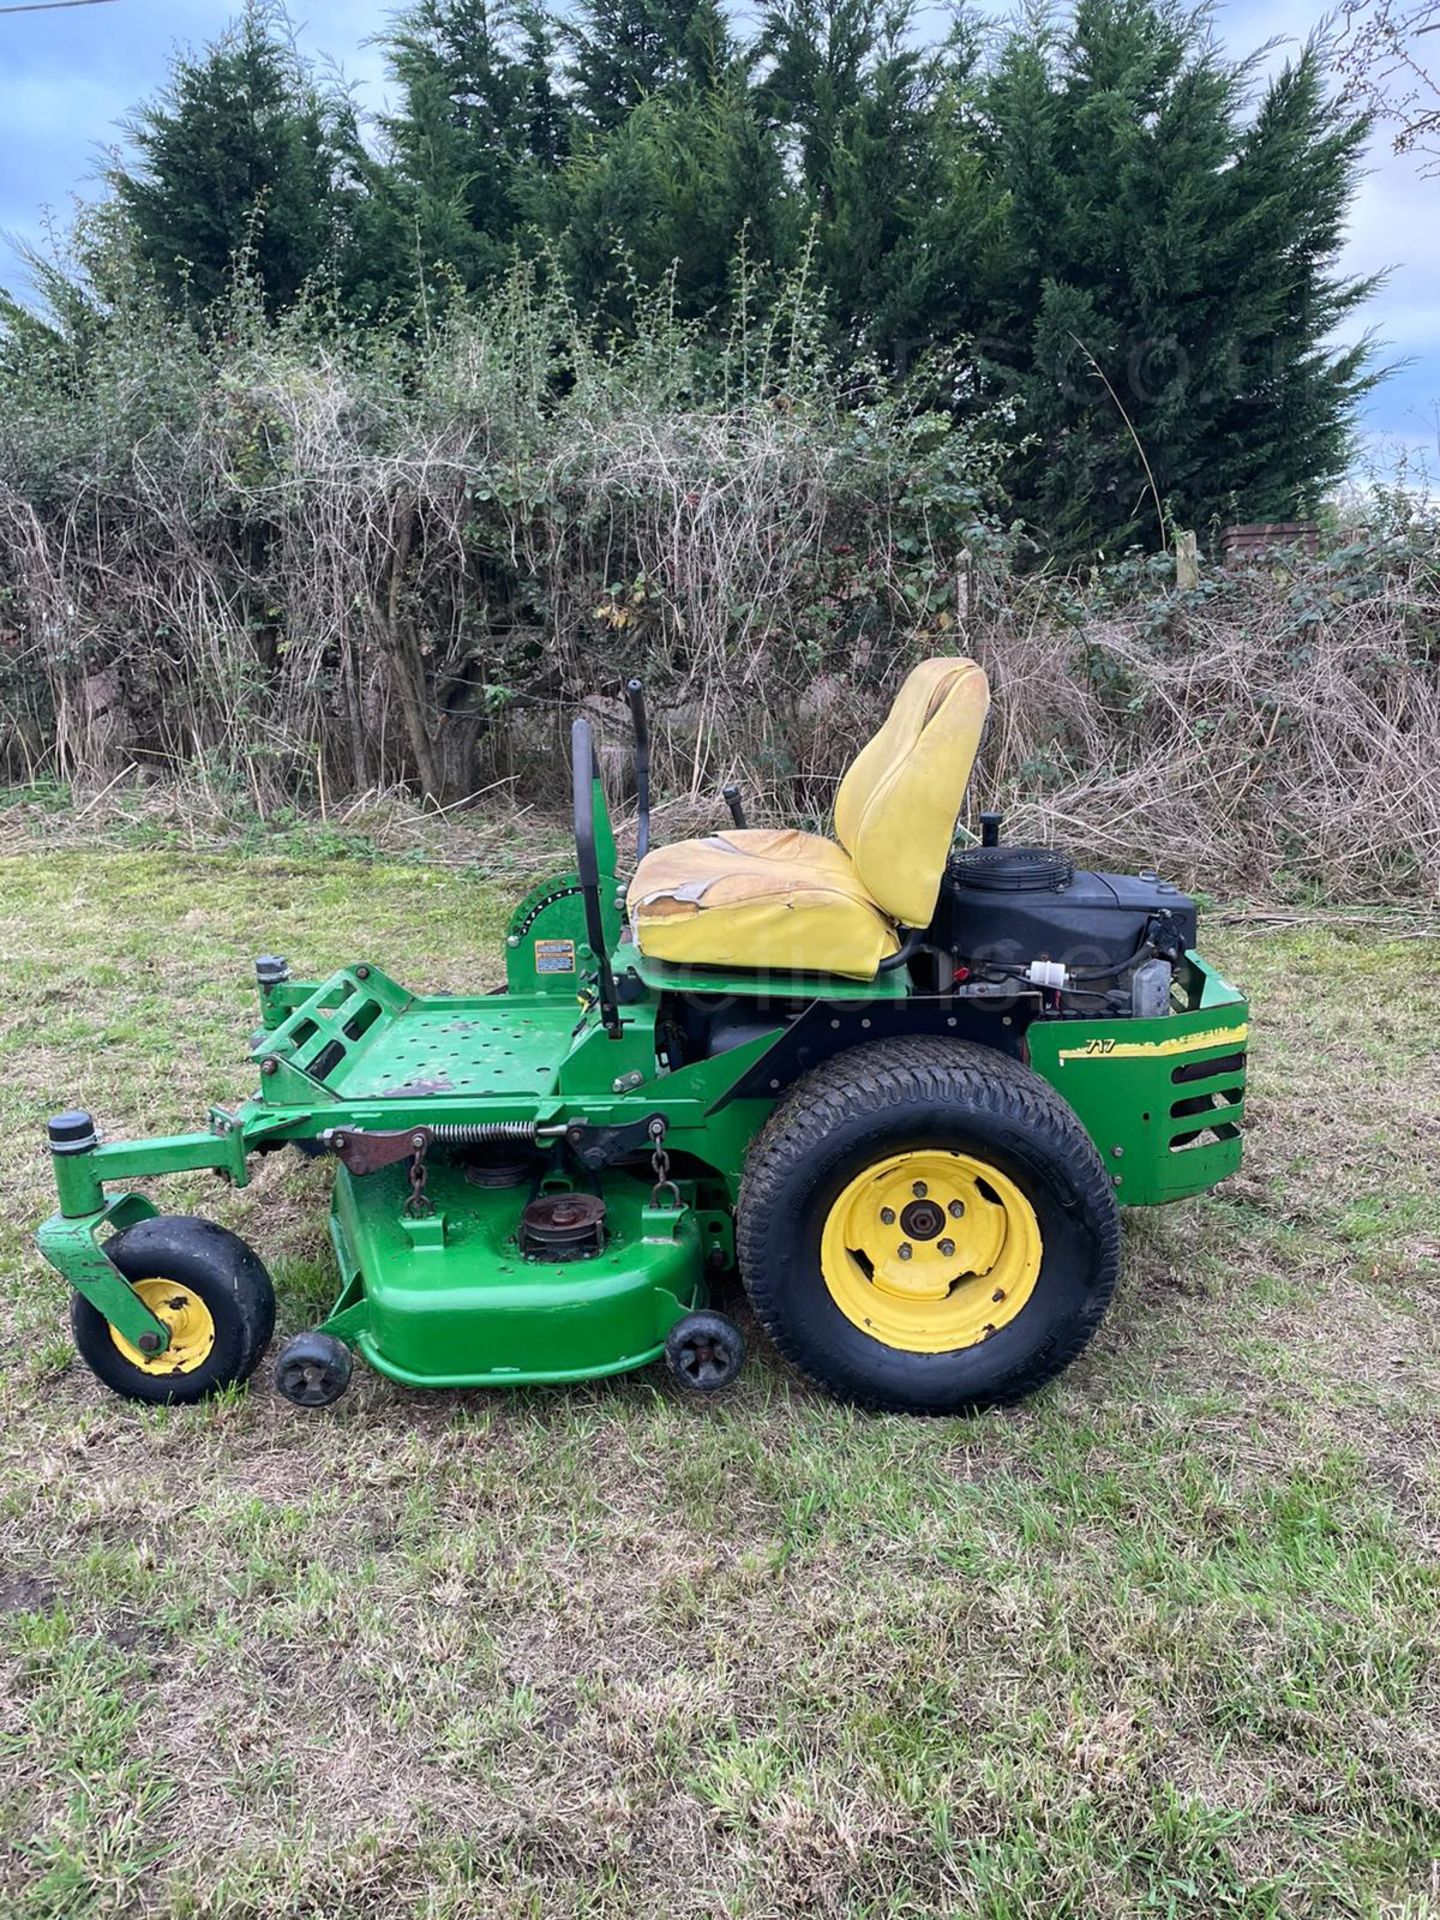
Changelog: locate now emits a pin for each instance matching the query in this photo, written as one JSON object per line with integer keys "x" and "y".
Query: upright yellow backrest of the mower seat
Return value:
{"x": 898, "y": 805}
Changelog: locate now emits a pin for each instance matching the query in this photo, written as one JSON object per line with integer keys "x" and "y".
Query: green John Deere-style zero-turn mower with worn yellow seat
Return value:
{"x": 903, "y": 1088}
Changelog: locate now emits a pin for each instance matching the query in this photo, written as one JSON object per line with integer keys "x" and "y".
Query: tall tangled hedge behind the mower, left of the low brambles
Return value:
{"x": 352, "y": 565}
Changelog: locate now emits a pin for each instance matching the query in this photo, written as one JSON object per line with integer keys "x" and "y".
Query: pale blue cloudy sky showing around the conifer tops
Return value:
{"x": 68, "y": 80}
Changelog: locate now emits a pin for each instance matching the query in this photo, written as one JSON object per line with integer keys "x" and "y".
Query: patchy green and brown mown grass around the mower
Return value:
{"x": 1157, "y": 1644}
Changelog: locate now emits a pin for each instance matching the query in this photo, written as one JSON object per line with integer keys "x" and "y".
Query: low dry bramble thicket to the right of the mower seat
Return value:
{"x": 1274, "y": 732}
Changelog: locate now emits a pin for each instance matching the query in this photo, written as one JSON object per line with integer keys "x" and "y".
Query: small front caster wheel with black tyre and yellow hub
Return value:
{"x": 214, "y": 1293}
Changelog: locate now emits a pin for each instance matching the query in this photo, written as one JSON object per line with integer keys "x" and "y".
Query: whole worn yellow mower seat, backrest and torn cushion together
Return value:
{"x": 777, "y": 900}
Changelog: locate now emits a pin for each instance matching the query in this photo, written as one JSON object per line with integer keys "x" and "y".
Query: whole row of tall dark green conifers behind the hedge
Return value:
{"x": 1107, "y": 218}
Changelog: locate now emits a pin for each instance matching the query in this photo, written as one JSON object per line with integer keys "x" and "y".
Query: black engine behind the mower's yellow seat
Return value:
{"x": 1013, "y": 905}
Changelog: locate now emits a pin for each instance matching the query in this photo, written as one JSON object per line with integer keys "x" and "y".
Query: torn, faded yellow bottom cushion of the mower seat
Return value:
{"x": 759, "y": 898}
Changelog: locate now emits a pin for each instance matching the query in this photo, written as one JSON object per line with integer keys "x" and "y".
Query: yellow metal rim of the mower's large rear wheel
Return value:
{"x": 930, "y": 1251}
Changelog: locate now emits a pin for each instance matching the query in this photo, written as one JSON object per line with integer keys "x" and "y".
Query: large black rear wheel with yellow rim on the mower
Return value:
{"x": 972, "y": 1295}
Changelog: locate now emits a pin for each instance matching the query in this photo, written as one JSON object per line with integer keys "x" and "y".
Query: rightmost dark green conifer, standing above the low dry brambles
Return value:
{"x": 1172, "y": 277}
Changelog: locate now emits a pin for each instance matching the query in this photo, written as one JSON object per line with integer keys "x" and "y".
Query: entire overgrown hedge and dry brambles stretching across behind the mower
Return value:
{"x": 308, "y": 565}
